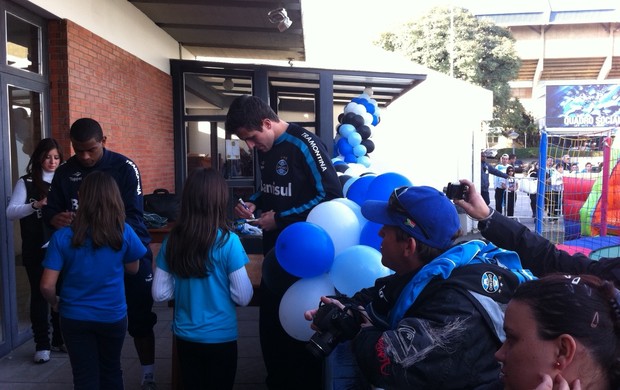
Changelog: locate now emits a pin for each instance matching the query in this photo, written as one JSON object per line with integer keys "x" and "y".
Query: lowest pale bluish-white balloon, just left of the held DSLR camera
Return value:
{"x": 305, "y": 294}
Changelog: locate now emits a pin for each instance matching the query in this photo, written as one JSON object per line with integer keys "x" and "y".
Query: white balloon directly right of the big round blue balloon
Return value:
{"x": 339, "y": 221}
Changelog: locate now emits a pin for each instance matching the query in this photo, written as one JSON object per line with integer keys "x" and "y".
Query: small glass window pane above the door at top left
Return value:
{"x": 22, "y": 44}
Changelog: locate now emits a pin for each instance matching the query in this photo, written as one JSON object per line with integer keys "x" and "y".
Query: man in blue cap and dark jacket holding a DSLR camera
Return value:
{"x": 436, "y": 323}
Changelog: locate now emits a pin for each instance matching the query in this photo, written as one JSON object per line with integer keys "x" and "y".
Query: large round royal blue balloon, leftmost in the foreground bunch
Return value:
{"x": 305, "y": 250}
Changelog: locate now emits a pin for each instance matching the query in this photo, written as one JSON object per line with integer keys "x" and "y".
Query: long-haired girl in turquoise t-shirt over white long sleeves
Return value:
{"x": 201, "y": 264}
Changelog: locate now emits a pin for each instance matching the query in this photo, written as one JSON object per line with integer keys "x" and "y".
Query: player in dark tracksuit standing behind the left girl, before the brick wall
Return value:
{"x": 91, "y": 155}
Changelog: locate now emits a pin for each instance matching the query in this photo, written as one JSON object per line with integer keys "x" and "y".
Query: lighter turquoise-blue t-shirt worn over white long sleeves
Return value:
{"x": 204, "y": 312}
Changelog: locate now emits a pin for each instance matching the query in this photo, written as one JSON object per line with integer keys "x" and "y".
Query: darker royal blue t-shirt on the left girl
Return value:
{"x": 92, "y": 280}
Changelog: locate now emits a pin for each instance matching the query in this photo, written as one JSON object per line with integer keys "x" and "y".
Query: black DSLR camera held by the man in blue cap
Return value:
{"x": 334, "y": 326}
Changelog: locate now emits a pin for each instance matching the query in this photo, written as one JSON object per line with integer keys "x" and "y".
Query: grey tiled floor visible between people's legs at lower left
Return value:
{"x": 18, "y": 372}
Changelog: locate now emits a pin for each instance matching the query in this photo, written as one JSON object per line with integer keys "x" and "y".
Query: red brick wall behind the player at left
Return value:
{"x": 90, "y": 77}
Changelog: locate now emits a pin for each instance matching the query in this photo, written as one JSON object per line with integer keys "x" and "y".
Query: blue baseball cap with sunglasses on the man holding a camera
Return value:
{"x": 424, "y": 213}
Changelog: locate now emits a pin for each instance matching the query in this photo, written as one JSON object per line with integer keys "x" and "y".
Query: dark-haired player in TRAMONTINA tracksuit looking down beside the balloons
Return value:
{"x": 296, "y": 175}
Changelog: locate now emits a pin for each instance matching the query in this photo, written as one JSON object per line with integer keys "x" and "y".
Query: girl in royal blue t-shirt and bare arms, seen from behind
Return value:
{"x": 92, "y": 255}
